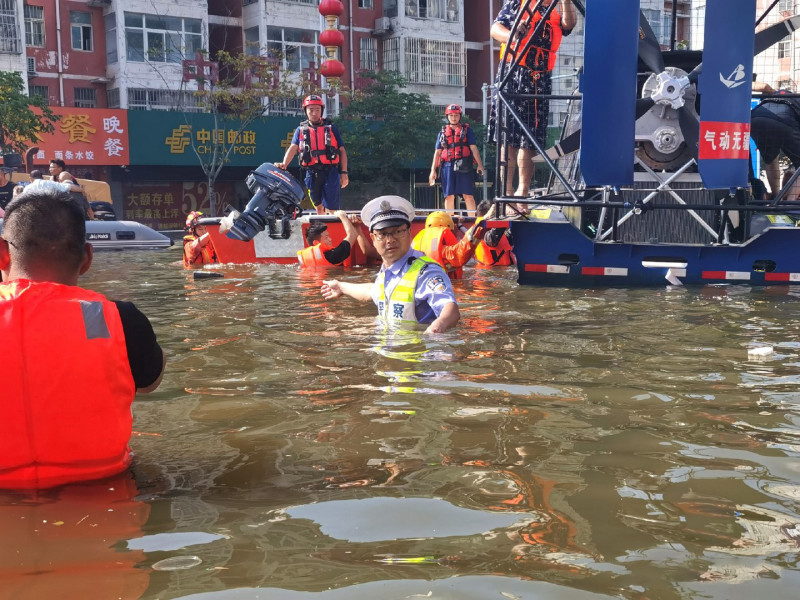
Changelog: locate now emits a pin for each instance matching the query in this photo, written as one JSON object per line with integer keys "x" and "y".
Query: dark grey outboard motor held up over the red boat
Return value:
{"x": 276, "y": 200}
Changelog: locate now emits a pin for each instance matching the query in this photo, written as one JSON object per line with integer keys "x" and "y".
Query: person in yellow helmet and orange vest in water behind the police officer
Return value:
{"x": 438, "y": 241}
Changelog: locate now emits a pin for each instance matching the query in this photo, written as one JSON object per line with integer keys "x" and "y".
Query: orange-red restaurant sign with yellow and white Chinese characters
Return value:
{"x": 86, "y": 137}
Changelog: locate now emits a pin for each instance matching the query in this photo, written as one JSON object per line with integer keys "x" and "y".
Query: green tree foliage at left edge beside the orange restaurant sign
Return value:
{"x": 19, "y": 123}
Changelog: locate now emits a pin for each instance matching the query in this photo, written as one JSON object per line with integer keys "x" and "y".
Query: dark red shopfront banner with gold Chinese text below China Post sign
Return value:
{"x": 164, "y": 205}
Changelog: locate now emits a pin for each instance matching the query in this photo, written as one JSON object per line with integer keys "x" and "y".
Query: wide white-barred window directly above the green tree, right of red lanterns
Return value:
{"x": 435, "y": 62}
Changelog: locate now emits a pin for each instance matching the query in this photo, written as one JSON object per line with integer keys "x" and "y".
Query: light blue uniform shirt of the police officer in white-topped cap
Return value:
{"x": 434, "y": 290}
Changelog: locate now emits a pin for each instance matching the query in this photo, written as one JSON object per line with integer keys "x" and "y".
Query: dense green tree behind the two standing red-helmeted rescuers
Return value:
{"x": 387, "y": 129}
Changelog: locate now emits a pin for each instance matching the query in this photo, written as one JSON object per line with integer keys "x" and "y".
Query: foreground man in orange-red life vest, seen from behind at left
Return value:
{"x": 74, "y": 359}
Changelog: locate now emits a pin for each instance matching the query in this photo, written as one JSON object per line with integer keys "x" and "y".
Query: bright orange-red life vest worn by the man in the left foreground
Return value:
{"x": 67, "y": 386}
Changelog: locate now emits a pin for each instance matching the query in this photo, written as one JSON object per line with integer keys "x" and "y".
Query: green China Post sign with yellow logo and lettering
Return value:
{"x": 173, "y": 138}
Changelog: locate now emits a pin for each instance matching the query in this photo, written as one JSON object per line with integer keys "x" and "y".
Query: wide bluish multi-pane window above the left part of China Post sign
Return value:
{"x": 161, "y": 39}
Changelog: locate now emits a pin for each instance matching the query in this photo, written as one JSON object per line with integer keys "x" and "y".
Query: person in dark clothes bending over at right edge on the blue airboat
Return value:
{"x": 775, "y": 128}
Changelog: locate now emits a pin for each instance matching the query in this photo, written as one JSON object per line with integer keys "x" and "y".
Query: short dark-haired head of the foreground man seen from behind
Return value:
{"x": 45, "y": 225}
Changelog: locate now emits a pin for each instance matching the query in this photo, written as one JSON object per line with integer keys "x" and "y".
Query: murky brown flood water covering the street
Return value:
{"x": 558, "y": 444}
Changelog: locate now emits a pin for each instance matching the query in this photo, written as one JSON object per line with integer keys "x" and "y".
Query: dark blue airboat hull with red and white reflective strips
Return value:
{"x": 555, "y": 253}
